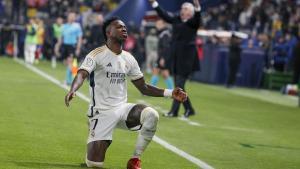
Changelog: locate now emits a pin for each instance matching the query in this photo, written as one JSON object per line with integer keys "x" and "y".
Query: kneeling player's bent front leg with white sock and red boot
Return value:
{"x": 147, "y": 117}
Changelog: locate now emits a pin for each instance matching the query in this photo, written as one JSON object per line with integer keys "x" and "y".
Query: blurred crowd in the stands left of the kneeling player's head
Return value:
{"x": 39, "y": 22}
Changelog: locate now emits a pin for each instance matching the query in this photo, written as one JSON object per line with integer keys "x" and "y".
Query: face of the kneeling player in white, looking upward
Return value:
{"x": 118, "y": 31}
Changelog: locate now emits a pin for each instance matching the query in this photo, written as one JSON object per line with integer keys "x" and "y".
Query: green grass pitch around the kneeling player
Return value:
{"x": 237, "y": 128}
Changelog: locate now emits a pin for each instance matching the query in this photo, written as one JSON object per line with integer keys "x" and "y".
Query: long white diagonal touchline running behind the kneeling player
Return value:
{"x": 158, "y": 140}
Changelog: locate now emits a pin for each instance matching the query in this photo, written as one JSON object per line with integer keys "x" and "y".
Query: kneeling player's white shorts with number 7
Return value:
{"x": 103, "y": 123}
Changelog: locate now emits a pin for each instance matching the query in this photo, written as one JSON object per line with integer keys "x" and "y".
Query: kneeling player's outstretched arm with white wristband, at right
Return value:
{"x": 150, "y": 90}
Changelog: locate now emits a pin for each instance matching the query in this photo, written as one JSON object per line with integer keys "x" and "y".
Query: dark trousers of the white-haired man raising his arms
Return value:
{"x": 180, "y": 82}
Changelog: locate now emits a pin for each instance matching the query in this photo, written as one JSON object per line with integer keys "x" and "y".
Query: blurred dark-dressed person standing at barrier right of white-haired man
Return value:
{"x": 234, "y": 59}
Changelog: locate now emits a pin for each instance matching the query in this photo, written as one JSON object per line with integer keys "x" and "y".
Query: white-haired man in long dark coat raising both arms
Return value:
{"x": 184, "y": 52}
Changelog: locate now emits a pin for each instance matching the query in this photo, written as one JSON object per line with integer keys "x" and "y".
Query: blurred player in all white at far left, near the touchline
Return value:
{"x": 30, "y": 41}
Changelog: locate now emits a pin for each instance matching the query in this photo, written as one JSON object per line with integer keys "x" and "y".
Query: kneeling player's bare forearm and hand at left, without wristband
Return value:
{"x": 76, "y": 84}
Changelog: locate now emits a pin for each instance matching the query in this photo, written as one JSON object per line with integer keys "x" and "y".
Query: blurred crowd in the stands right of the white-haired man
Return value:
{"x": 272, "y": 25}
